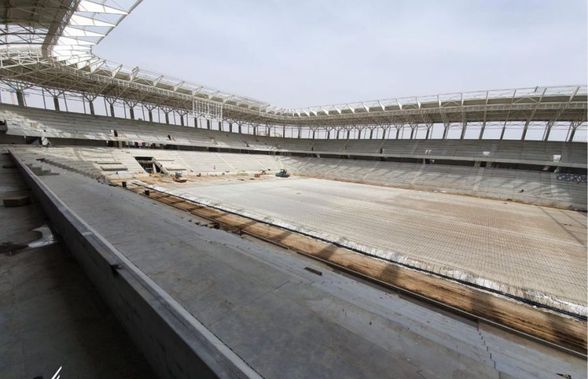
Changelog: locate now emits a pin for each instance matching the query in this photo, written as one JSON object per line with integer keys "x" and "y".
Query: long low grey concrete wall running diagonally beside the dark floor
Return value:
{"x": 175, "y": 343}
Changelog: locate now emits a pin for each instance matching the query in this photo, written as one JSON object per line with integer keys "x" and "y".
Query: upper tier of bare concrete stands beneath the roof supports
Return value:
{"x": 52, "y": 124}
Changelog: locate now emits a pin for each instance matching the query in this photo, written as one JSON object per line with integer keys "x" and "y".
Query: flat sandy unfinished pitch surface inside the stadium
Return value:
{"x": 521, "y": 249}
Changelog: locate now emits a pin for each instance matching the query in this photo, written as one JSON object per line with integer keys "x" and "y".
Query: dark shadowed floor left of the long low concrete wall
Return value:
{"x": 50, "y": 314}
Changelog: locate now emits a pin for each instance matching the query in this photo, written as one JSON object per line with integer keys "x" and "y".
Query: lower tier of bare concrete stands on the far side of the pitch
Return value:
{"x": 535, "y": 187}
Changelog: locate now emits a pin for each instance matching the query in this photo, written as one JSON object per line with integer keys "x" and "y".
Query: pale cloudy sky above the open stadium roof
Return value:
{"x": 312, "y": 52}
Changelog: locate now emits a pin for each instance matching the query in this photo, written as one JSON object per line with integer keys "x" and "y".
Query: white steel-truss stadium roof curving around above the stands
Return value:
{"x": 49, "y": 44}
